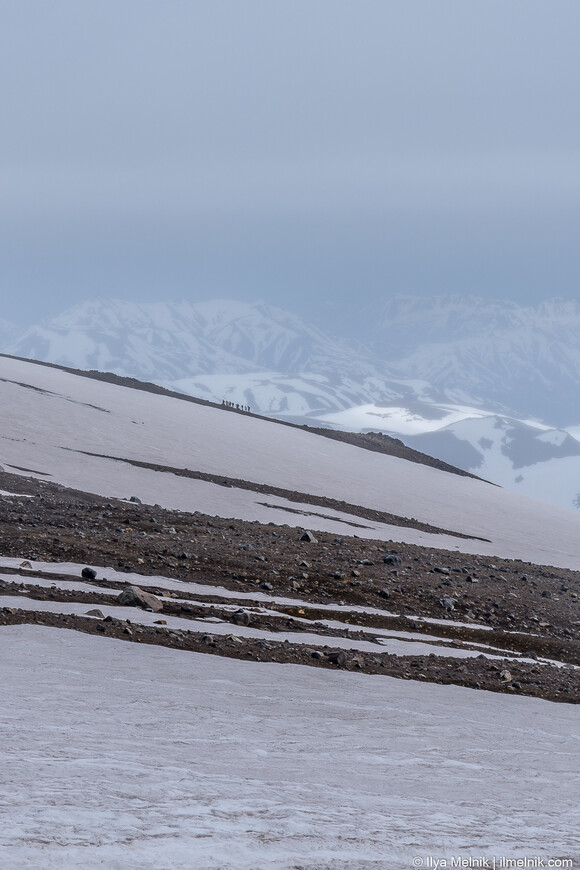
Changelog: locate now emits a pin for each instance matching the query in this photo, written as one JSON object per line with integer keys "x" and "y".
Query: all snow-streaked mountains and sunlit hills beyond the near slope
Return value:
{"x": 457, "y": 377}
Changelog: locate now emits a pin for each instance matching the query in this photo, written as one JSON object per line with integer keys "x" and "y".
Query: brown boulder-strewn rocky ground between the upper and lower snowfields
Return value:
{"x": 529, "y": 609}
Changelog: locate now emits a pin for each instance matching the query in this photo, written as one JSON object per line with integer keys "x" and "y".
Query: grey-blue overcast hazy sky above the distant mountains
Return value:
{"x": 277, "y": 149}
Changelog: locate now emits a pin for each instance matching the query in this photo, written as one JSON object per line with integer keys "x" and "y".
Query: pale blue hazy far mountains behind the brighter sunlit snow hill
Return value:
{"x": 492, "y": 354}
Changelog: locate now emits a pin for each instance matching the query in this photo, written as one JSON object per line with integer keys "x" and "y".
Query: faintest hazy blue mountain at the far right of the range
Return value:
{"x": 523, "y": 357}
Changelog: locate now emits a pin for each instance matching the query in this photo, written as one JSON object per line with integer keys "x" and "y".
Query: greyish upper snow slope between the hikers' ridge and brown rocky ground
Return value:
{"x": 104, "y": 418}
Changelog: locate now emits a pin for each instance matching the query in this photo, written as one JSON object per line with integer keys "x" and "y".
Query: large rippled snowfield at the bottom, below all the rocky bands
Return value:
{"x": 127, "y": 755}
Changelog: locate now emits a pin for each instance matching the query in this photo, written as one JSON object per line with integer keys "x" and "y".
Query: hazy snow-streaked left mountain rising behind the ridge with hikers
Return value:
{"x": 257, "y": 355}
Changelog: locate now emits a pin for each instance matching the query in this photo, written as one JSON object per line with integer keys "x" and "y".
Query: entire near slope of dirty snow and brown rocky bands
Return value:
{"x": 378, "y": 691}
